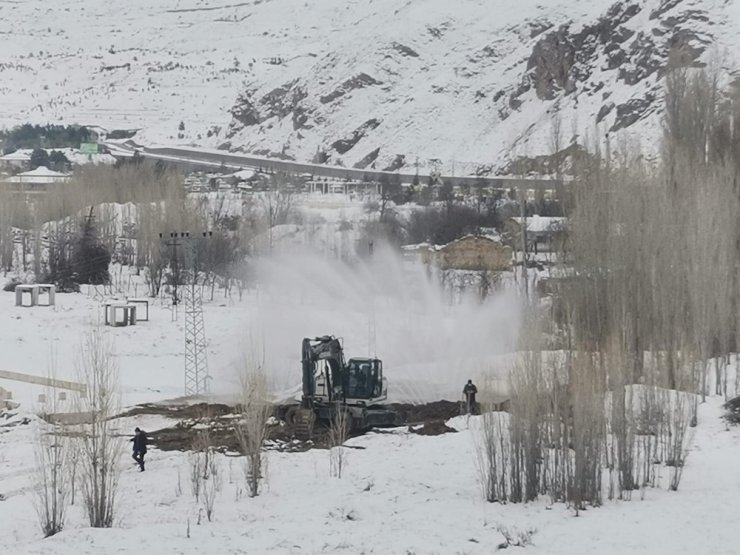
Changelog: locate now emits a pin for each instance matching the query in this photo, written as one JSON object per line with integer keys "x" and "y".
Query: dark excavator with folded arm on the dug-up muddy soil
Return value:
{"x": 330, "y": 385}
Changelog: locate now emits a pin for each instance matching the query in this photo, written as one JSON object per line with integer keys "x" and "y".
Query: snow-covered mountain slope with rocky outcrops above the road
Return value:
{"x": 381, "y": 83}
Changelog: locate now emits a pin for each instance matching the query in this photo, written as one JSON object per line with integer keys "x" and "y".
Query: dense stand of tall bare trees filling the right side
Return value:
{"x": 646, "y": 318}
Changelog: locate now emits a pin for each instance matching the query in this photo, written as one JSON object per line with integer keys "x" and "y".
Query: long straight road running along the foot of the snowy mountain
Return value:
{"x": 192, "y": 157}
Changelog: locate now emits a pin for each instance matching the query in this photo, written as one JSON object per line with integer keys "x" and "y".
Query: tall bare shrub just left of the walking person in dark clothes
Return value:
{"x": 100, "y": 446}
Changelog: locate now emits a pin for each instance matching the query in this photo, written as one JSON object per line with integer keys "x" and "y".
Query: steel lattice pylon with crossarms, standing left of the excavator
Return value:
{"x": 197, "y": 378}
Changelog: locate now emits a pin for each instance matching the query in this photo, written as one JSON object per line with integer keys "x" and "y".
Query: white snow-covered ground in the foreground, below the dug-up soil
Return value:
{"x": 400, "y": 493}
